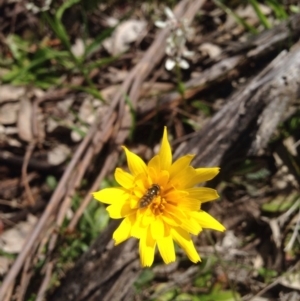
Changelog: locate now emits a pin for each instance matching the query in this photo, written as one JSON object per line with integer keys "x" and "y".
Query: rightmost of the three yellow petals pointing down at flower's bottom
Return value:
{"x": 183, "y": 238}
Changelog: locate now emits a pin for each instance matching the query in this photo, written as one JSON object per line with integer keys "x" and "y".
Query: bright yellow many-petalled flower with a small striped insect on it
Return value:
{"x": 160, "y": 204}
